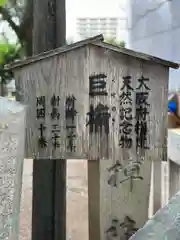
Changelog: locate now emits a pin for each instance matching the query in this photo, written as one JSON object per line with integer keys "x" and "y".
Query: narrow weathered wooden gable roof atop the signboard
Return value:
{"x": 97, "y": 41}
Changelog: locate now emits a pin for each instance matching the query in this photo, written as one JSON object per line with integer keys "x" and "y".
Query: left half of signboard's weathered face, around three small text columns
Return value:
{"x": 64, "y": 76}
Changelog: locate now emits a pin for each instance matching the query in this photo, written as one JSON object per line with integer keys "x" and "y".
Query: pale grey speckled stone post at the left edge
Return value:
{"x": 12, "y": 133}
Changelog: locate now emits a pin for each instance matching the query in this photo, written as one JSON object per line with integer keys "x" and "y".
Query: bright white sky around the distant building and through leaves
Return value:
{"x": 85, "y": 8}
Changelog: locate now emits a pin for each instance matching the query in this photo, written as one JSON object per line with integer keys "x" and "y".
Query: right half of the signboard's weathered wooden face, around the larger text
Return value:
{"x": 115, "y": 68}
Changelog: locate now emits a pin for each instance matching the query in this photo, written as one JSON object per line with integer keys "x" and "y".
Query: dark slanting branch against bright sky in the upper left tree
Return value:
{"x": 7, "y": 17}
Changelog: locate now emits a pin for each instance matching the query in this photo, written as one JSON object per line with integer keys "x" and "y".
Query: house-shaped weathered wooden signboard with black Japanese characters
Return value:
{"x": 86, "y": 104}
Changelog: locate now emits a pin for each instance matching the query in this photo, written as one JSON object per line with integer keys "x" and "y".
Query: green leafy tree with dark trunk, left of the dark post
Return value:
{"x": 18, "y": 14}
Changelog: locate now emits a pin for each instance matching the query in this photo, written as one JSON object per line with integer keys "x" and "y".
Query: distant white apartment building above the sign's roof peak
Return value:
{"x": 88, "y": 27}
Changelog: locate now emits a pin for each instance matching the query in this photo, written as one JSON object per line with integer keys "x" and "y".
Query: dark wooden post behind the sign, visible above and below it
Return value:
{"x": 49, "y": 177}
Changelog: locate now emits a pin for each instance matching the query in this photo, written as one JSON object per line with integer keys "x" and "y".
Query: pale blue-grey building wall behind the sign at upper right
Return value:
{"x": 154, "y": 28}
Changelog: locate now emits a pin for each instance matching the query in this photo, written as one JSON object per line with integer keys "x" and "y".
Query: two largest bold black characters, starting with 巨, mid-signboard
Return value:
{"x": 98, "y": 116}
